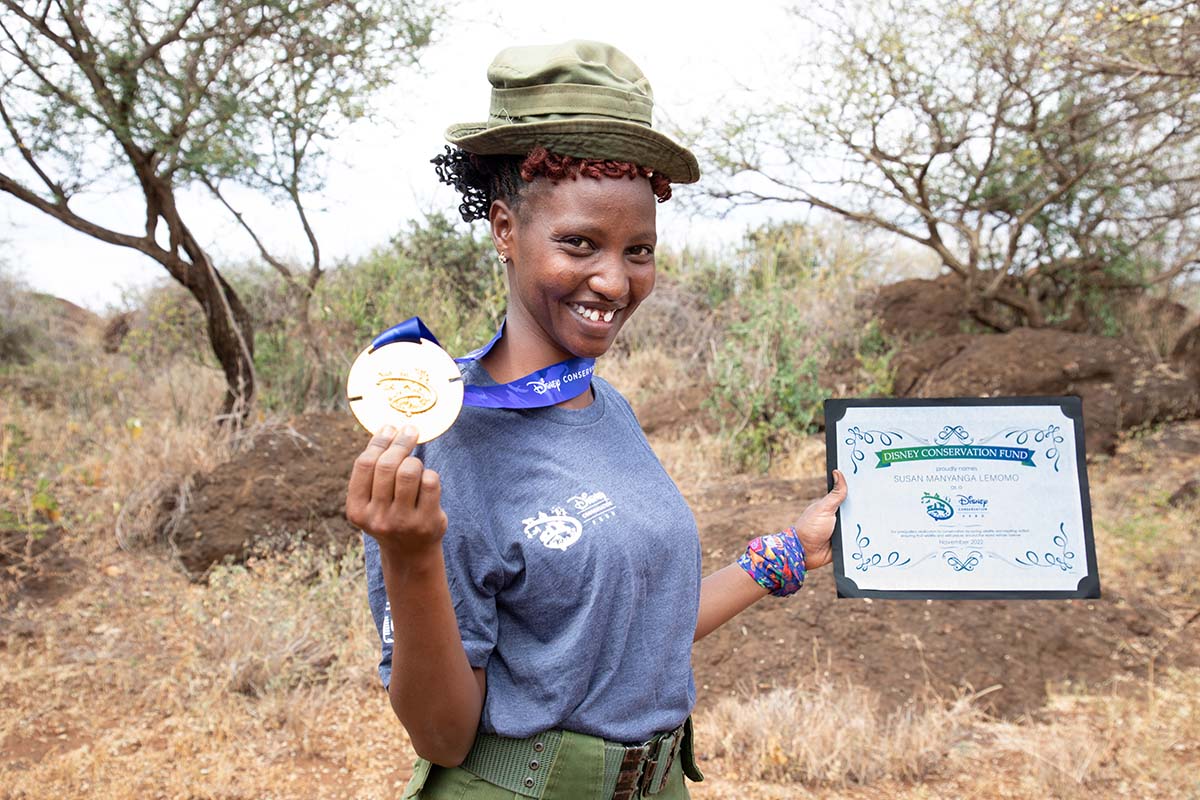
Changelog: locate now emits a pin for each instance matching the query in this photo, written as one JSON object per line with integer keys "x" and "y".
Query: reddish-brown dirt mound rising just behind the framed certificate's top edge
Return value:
{"x": 1121, "y": 388}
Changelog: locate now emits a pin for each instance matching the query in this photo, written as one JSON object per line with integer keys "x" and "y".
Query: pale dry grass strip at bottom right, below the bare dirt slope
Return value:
{"x": 1143, "y": 744}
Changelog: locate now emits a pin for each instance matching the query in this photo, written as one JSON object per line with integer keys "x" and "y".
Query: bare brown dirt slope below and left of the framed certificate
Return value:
{"x": 907, "y": 649}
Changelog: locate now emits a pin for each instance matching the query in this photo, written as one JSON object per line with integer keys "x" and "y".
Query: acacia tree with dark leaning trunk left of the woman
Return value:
{"x": 98, "y": 95}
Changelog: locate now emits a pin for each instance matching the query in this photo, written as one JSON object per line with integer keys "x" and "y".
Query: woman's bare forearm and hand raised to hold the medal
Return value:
{"x": 434, "y": 691}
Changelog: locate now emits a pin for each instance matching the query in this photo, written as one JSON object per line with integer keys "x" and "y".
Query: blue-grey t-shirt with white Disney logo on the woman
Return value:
{"x": 574, "y": 567}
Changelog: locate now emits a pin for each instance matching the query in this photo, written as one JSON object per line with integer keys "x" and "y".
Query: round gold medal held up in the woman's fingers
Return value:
{"x": 406, "y": 383}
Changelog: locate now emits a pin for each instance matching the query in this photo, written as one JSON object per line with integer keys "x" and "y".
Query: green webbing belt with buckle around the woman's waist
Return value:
{"x": 523, "y": 766}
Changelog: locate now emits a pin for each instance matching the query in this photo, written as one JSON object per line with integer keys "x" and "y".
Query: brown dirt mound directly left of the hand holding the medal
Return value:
{"x": 292, "y": 480}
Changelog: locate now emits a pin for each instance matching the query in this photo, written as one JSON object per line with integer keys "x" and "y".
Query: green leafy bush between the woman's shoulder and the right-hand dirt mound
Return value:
{"x": 795, "y": 339}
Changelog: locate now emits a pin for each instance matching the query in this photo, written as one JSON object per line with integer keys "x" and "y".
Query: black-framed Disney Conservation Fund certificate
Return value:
{"x": 962, "y": 498}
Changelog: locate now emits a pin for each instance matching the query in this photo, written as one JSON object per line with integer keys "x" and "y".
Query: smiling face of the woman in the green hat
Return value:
{"x": 581, "y": 261}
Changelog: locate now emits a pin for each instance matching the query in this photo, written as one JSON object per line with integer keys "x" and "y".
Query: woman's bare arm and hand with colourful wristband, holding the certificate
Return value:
{"x": 731, "y": 591}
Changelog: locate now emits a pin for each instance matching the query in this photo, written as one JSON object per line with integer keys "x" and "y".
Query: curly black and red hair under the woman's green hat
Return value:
{"x": 484, "y": 179}
